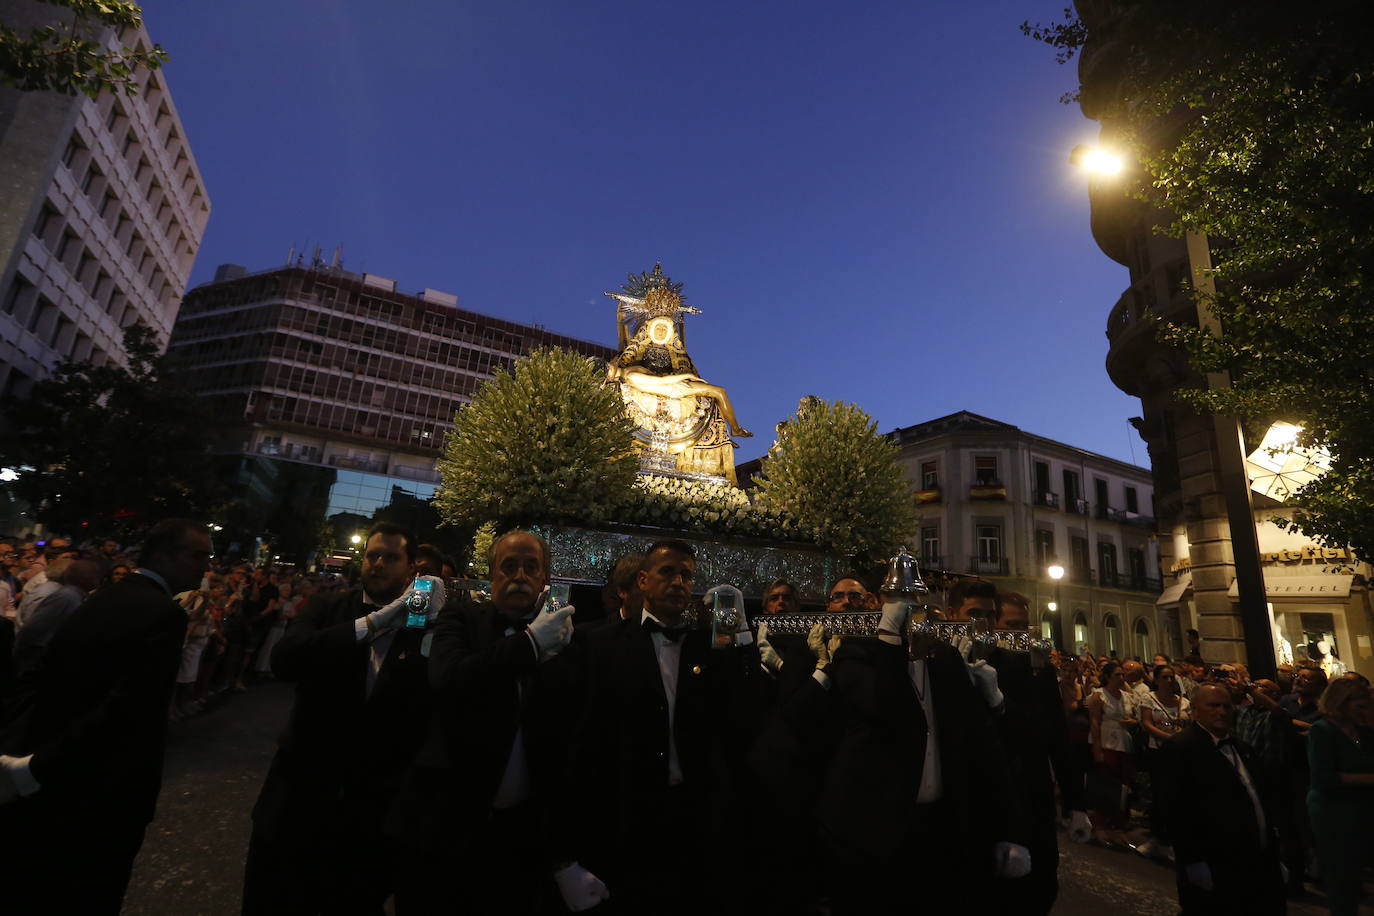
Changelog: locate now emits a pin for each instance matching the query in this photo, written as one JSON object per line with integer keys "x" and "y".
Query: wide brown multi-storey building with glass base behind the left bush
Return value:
{"x": 333, "y": 392}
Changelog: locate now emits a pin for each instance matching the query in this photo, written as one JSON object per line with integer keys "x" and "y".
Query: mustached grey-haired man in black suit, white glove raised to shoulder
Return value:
{"x": 477, "y": 807}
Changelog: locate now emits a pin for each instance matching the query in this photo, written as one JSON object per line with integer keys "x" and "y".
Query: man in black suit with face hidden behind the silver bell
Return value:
{"x": 913, "y": 804}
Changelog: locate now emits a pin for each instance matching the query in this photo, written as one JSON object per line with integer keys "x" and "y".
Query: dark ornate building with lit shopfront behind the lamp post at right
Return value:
{"x": 1313, "y": 595}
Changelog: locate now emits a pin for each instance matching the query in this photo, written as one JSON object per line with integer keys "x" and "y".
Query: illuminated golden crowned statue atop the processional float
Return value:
{"x": 684, "y": 424}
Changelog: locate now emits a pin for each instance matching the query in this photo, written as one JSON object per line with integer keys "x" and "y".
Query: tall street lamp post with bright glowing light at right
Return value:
{"x": 1233, "y": 477}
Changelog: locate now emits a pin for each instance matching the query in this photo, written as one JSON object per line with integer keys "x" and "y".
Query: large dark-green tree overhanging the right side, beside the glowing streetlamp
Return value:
{"x": 1254, "y": 127}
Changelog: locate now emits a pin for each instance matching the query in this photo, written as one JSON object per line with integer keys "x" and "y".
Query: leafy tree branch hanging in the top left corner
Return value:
{"x": 72, "y": 57}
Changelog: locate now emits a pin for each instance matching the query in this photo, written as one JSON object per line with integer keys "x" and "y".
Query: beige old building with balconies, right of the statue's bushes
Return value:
{"x": 1005, "y": 505}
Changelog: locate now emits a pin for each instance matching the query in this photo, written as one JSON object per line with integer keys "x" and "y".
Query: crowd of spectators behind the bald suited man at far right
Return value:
{"x": 1123, "y": 712}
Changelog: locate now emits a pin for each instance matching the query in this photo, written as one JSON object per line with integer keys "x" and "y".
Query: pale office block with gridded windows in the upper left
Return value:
{"x": 102, "y": 211}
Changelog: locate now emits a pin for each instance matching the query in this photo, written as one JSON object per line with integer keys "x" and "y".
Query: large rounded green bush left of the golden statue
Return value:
{"x": 549, "y": 443}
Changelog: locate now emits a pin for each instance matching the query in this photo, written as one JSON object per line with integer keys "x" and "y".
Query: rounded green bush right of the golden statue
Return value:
{"x": 840, "y": 480}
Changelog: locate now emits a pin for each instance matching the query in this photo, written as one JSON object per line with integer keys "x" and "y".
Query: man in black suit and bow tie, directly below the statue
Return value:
{"x": 667, "y": 722}
